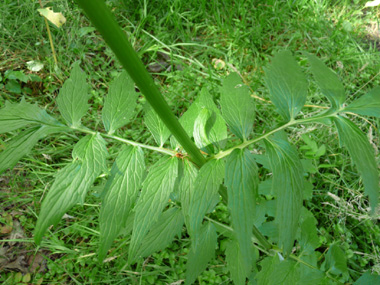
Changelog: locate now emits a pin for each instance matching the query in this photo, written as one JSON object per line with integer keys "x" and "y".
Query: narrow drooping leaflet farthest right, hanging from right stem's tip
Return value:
{"x": 362, "y": 155}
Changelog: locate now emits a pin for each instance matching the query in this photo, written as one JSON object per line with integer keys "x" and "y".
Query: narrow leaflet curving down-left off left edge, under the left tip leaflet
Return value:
{"x": 22, "y": 144}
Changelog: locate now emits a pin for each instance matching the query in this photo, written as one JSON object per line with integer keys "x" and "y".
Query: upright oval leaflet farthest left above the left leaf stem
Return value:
{"x": 73, "y": 97}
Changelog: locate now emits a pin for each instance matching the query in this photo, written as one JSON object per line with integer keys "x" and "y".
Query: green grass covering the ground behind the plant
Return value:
{"x": 192, "y": 33}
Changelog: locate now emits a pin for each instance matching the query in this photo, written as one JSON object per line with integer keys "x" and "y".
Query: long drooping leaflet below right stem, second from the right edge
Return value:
{"x": 288, "y": 184}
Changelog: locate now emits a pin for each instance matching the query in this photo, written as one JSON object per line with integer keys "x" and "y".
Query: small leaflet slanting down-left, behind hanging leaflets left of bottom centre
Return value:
{"x": 162, "y": 233}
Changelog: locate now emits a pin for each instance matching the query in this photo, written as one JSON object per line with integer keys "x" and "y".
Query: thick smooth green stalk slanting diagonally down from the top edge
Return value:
{"x": 105, "y": 23}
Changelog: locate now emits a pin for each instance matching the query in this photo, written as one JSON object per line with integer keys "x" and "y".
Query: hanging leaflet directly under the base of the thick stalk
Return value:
{"x": 205, "y": 193}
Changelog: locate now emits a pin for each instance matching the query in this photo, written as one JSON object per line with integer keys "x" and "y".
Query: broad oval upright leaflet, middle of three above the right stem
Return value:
{"x": 287, "y": 84}
